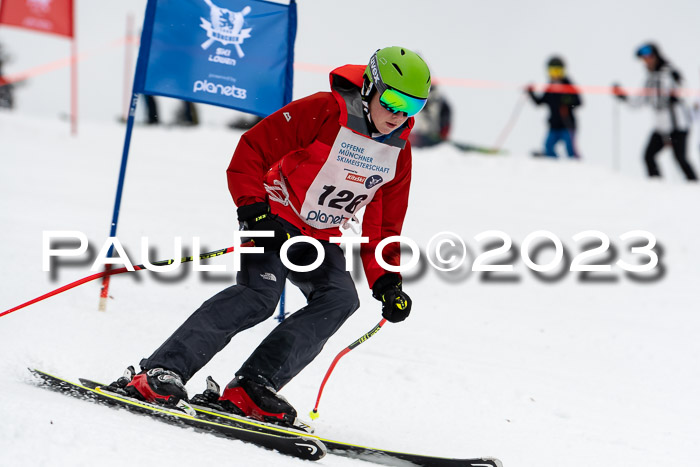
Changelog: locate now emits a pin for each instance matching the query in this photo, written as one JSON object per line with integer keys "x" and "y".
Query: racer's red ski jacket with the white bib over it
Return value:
{"x": 316, "y": 164}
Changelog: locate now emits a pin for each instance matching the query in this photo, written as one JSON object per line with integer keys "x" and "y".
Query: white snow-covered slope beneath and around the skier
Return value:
{"x": 560, "y": 370}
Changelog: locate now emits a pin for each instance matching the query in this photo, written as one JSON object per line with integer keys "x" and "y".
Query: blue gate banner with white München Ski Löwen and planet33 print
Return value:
{"x": 232, "y": 53}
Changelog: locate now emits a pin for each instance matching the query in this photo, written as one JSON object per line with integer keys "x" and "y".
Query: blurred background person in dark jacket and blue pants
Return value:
{"x": 561, "y": 98}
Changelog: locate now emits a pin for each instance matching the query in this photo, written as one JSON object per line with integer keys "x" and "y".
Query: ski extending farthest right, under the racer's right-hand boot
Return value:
{"x": 370, "y": 454}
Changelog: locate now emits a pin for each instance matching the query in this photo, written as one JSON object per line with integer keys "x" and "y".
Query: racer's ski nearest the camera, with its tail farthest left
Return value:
{"x": 290, "y": 443}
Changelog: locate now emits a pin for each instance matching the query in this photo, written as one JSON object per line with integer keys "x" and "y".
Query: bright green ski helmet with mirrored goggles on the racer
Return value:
{"x": 401, "y": 78}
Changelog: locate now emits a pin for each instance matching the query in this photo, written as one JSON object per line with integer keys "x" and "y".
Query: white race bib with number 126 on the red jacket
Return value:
{"x": 356, "y": 168}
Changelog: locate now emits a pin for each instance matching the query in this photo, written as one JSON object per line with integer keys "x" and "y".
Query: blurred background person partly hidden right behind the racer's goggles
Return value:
{"x": 432, "y": 125}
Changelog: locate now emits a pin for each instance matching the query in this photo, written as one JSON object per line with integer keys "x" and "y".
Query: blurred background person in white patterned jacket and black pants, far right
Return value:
{"x": 672, "y": 116}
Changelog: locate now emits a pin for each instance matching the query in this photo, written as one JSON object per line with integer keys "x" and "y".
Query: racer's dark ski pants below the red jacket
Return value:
{"x": 293, "y": 344}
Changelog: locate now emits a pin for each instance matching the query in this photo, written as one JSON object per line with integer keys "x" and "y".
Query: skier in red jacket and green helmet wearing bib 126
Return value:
{"x": 304, "y": 170}
